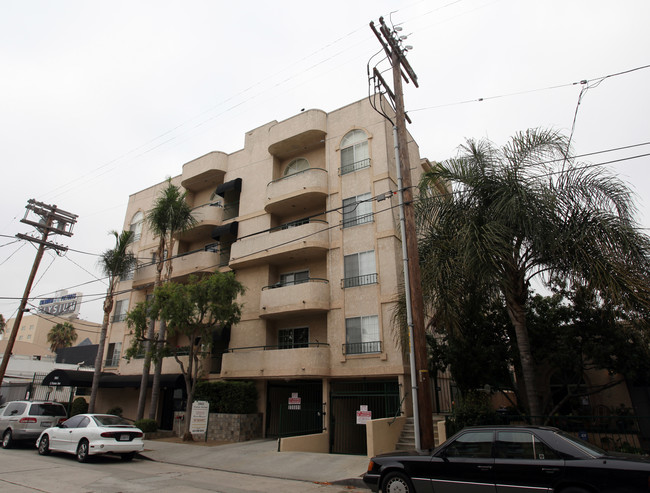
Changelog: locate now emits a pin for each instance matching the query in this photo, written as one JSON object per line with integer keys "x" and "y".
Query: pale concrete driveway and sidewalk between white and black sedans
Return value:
{"x": 261, "y": 458}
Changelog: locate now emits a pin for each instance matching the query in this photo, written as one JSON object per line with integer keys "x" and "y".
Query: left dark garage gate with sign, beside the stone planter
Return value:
{"x": 294, "y": 408}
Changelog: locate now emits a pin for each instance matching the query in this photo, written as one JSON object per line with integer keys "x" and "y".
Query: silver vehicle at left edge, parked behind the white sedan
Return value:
{"x": 25, "y": 420}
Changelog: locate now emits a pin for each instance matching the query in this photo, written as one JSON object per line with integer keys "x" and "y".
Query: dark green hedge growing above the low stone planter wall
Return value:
{"x": 228, "y": 397}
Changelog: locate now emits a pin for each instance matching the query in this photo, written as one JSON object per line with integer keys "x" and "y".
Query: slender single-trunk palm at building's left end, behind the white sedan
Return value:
{"x": 115, "y": 263}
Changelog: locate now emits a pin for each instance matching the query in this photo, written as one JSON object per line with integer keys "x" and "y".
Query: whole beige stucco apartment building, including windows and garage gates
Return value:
{"x": 306, "y": 217}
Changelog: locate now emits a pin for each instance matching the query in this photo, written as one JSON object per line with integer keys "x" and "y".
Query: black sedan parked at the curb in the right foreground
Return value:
{"x": 509, "y": 459}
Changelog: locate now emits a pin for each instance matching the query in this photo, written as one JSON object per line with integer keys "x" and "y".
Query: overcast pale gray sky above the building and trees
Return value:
{"x": 100, "y": 99}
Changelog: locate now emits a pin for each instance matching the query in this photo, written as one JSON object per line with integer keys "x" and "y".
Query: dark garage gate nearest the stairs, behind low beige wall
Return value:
{"x": 380, "y": 397}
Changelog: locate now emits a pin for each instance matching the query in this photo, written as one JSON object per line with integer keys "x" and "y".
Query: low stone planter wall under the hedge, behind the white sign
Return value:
{"x": 226, "y": 427}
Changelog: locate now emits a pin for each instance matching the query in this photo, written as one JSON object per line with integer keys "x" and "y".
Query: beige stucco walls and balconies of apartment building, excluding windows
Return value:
{"x": 261, "y": 255}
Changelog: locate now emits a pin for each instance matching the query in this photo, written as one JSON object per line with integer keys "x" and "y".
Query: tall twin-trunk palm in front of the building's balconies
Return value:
{"x": 169, "y": 216}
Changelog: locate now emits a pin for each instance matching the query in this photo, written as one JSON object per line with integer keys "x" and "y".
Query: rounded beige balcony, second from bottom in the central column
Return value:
{"x": 306, "y": 297}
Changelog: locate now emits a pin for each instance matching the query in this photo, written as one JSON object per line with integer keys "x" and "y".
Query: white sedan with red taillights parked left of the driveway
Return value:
{"x": 91, "y": 434}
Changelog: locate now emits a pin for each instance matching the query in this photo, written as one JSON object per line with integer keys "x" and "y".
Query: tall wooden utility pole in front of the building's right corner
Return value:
{"x": 402, "y": 69}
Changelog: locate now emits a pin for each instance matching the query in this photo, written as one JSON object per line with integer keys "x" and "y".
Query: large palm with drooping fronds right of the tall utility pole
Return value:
{"x": 525, "y": 211}
